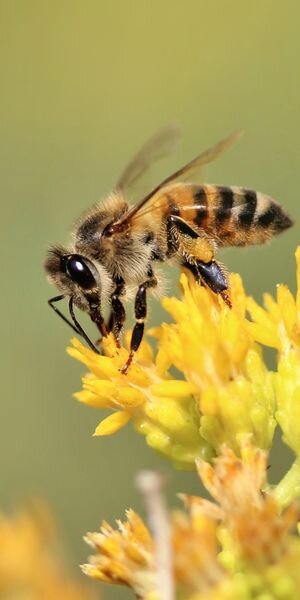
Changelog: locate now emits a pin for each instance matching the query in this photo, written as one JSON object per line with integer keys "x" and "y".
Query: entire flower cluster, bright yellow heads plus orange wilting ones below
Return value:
{"x": 206, "y": 399}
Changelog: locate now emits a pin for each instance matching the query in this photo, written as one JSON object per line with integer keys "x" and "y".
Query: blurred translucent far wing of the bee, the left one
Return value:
{"x": 162, "y": 143}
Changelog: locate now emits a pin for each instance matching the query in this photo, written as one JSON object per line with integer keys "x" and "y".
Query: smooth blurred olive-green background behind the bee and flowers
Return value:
{"x": 83, "y": 84}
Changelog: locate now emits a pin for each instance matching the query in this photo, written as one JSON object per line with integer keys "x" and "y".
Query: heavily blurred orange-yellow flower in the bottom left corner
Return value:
{"x": 31, "y": 565}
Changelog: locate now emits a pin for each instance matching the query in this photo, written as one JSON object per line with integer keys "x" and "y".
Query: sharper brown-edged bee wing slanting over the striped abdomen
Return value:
{"x": 151, "y": 201}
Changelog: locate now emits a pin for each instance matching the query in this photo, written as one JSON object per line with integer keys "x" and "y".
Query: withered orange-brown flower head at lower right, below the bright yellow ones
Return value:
{"x": 258, "y": 529}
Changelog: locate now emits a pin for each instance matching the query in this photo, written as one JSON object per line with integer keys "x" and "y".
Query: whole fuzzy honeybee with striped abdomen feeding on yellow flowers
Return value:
{"x": 117, "y": 247}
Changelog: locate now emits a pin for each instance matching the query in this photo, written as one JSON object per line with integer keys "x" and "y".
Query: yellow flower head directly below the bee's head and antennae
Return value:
{"x": 161, "y": 408}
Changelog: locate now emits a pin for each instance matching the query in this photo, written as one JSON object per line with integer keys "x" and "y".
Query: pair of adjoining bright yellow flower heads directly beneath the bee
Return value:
{"x": 222, "y": 391}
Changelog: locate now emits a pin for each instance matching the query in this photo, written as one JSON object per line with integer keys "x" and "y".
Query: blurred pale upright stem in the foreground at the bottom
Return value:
{"x": 151, "y": 485}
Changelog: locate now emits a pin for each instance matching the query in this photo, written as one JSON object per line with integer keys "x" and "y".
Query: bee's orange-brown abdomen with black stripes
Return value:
{"x": 234, "y": 216}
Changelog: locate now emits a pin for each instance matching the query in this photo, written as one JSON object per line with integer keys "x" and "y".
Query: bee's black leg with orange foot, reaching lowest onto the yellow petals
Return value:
{"x": 140, "y": 313}
